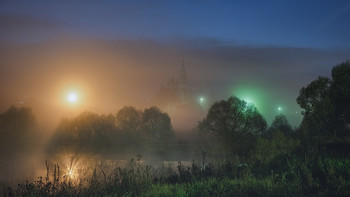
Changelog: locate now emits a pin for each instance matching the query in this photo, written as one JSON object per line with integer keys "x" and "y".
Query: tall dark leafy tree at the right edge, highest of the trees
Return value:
{"x": 326, "y": 104}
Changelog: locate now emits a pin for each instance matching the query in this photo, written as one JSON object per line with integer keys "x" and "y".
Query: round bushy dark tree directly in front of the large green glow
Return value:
{"x": 233, "y": 121}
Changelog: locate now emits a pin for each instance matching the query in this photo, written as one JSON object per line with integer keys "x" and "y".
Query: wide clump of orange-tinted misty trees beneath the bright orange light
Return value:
{"x": 130, "y": 129}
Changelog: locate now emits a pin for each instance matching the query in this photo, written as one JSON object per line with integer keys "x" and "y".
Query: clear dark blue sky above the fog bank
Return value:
{"x": 312, "y": 24}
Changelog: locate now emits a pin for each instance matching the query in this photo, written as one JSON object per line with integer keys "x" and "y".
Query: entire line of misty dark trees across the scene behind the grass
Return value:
{"x": 231, "y": 126}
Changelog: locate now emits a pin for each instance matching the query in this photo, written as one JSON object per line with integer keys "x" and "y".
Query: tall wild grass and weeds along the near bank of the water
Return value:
{"x": 294, "y": 176}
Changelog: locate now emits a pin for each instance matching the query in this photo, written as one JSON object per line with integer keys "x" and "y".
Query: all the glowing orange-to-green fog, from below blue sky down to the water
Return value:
{"x": 110, "y": 74}
